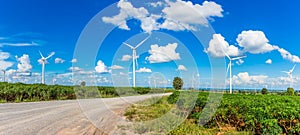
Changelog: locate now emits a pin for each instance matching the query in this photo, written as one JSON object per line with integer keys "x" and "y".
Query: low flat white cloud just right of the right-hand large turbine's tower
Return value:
{"x": 245, "y": 78}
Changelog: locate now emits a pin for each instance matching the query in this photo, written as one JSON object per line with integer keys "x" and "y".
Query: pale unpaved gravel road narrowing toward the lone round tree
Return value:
{"x": 85, "y": 116}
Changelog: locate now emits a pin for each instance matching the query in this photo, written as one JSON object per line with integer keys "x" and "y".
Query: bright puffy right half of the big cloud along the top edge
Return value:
{"x": 181, "y": 15}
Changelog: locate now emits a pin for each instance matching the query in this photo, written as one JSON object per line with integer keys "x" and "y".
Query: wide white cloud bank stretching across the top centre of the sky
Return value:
{"x": 177, "y": 15}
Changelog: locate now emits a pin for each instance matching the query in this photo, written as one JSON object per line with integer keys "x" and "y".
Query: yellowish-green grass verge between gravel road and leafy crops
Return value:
{"x": 146, "y": 112}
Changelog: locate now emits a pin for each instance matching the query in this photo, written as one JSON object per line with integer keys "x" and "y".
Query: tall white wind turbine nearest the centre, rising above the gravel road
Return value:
{"x": 134, "y": 57}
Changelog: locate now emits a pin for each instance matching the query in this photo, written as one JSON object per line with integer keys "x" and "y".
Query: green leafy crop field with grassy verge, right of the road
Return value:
{"x": 236, "y": 114}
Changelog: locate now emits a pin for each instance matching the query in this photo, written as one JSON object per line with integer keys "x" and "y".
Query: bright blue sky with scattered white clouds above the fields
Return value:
{"x": 58, "y": 25}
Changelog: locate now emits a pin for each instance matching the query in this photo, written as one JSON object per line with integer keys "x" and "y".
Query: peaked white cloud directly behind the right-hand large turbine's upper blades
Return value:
{"x": 218, "y": 45}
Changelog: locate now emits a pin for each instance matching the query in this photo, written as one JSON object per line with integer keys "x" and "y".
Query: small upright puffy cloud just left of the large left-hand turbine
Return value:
{"x": 24, "y": 63}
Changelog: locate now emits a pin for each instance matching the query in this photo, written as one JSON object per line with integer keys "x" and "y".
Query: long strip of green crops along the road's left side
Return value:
{"x": 20, "y": 92}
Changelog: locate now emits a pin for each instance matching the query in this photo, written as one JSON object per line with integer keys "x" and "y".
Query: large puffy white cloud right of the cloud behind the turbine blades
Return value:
{"x": 254, "y": 42}
